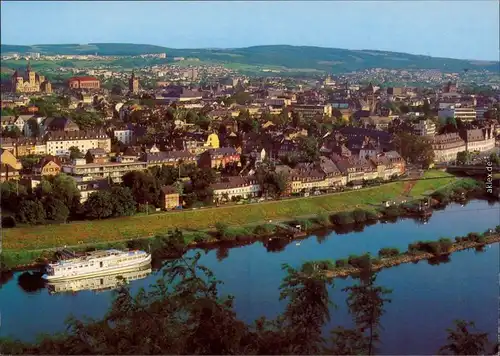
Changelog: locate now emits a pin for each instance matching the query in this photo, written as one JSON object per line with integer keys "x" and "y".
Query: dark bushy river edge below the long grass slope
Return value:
{"x": 279, "y": 232}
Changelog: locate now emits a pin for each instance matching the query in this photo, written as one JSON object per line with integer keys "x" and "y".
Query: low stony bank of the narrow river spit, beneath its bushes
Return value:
{"x": 377, "y": 264}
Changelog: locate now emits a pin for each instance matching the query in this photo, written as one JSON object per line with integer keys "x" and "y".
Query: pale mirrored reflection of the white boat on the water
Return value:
{"x": 97, "y": 284}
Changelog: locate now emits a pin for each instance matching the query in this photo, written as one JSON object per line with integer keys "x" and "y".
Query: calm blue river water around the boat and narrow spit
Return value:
{"x": 425, "y": 299}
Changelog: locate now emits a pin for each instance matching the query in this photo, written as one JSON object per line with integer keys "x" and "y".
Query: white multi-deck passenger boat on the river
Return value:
{"x": 98, "y": 263}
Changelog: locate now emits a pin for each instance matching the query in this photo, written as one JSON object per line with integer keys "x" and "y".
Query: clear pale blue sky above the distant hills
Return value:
{"x": 454, "y": 29}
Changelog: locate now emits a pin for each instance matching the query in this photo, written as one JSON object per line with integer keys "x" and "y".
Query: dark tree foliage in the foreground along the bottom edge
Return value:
{"x": 185, "y": 314}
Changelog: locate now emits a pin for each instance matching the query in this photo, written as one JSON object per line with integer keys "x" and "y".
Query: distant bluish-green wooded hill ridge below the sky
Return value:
{"x": 297, "y": 57}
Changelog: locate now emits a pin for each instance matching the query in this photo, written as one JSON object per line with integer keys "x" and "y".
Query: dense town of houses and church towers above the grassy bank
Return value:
{"x": 259, "y": 138}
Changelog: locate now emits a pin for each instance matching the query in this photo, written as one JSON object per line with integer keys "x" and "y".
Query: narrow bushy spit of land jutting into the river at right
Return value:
{"x": 389, "y": 257}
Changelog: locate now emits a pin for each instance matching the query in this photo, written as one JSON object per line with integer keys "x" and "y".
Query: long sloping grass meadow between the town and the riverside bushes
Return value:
{"x": 143, "y": 226}
